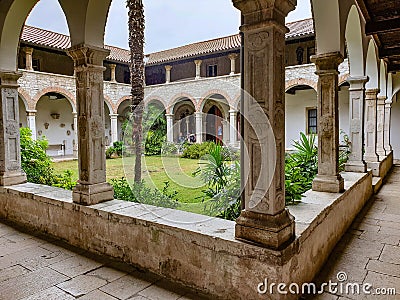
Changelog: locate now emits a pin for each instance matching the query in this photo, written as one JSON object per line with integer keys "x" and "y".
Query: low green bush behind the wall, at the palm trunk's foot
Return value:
{"x": 139, "y": 193}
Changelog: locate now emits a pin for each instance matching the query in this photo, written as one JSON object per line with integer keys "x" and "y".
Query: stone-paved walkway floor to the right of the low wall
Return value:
{"x": 369, "y": 253}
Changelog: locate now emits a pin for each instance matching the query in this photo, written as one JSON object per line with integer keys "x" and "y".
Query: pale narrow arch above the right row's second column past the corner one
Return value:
{"x": 354, "y": 42}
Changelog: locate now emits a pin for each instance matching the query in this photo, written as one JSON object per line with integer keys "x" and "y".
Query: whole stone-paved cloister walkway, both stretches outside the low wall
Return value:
{"x": 33, "y": 267}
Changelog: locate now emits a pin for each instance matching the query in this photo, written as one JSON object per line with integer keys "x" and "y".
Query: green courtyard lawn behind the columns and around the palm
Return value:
{"x": 156, "y": 171}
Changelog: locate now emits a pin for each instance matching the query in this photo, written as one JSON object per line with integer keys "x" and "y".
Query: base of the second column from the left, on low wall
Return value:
{"x": 92, "y": 194}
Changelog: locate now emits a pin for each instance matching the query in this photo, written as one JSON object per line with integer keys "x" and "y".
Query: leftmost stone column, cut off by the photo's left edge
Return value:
{"x": 10, "y": 150}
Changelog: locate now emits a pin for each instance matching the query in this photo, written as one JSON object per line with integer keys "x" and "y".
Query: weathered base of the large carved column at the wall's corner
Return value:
{"x": 274, "y": 232}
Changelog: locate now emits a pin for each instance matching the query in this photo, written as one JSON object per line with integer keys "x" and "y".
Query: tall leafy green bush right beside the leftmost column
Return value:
{"x": 34, "y": 160}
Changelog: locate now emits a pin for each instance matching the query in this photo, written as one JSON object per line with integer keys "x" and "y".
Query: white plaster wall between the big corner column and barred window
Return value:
{"x": 296, "y": 114}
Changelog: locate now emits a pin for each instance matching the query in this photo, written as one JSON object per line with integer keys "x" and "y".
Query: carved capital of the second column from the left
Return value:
{"x": 86, "y": 55}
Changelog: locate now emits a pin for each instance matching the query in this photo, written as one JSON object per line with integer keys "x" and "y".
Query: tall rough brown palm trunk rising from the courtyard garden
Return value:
{"x": 136, "y": 66}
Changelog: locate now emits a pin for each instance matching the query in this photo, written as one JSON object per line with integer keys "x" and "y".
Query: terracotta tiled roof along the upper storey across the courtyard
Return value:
{"x": 42, "y": 37}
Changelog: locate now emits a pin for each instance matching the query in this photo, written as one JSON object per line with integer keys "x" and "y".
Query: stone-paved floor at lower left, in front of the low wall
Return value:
{"x": 43, "y": 269}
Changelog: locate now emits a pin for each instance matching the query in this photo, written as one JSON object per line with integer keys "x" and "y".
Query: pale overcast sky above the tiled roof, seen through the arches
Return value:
{"x": 169, "y": 24}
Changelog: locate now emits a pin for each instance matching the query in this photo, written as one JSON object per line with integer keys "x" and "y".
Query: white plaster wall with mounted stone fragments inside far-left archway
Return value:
{"x": 55, "y": 134}
